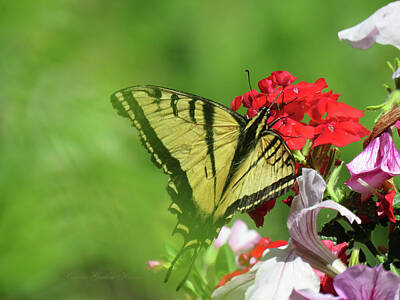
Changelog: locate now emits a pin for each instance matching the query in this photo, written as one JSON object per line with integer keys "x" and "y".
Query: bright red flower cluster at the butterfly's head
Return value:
{"x": 331, "y": 122}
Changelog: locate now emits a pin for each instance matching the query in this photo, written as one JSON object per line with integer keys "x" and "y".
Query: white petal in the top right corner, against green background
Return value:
{"x": 382, "y": 27}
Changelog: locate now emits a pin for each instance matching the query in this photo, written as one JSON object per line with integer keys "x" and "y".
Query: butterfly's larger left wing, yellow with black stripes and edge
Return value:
{"x": 193, "y": 140}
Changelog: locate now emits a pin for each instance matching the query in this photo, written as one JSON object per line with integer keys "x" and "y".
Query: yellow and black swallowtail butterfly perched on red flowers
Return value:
{"x": 219, "y": 163}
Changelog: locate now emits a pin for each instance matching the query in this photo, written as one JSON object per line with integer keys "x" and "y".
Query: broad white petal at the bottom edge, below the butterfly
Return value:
{"x": 278, "y": 273}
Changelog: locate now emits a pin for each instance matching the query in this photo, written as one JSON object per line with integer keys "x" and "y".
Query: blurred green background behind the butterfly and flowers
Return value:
{"x": 82, "y": 208}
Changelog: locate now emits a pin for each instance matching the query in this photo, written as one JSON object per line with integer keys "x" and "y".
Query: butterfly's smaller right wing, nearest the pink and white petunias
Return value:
{"x": 266, "y": 173}
